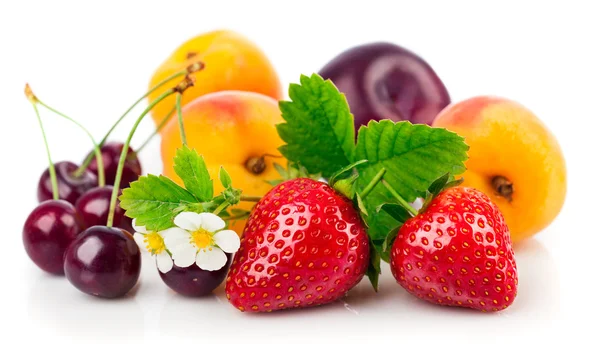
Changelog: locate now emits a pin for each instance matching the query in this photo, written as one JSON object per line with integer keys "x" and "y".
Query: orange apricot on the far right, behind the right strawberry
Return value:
{"x": 513, "y": 158}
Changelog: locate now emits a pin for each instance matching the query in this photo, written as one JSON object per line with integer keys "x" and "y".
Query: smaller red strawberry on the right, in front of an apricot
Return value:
{"x": 457, "y": 253}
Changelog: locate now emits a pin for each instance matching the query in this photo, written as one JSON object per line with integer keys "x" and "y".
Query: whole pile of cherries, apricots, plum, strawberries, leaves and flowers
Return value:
{"x": 292, "y": 202}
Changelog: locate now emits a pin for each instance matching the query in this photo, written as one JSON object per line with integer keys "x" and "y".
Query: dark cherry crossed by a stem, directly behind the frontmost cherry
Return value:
{"x": 92, "y": 209}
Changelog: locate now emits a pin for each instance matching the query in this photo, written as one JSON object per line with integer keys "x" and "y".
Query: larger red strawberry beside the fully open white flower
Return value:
{"x": 304, "y": 245}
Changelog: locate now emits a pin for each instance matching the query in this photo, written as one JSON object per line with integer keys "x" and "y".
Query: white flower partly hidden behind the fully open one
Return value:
{"x": 154, "y": 243}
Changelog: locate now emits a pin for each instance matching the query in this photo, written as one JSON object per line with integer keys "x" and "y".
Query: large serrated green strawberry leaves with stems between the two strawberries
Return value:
{"x": 388, "y": 163}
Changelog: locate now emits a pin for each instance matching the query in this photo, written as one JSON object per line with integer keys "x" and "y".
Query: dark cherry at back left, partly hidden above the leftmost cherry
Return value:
{"x": 70, "y": 187}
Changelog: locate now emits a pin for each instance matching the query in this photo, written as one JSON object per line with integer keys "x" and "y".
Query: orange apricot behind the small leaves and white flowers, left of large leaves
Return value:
{"x": 233, "y": 129}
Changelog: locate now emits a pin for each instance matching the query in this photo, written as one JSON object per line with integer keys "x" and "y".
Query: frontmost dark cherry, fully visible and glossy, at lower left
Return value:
{"x": 103, "y": 262}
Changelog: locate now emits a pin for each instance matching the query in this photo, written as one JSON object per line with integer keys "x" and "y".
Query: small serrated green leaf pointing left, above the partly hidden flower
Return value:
{"x": 154, "y": 201}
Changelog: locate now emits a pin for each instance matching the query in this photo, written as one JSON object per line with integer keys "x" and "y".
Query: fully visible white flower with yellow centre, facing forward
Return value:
{"x": 200, "y": 238}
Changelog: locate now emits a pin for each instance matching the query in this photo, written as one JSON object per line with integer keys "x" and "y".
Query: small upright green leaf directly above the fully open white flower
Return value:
{"x": 190, "y": 167}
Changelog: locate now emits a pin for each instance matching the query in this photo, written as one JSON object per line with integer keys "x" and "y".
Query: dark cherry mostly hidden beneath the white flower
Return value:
{"x": 194, "y": 281}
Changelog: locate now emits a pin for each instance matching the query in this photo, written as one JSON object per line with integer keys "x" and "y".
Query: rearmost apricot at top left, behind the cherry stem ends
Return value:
{"x": 231, "y": 62}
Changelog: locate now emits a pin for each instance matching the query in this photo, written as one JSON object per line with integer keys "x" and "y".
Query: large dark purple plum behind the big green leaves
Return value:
{"x": 383, "y": 80}
